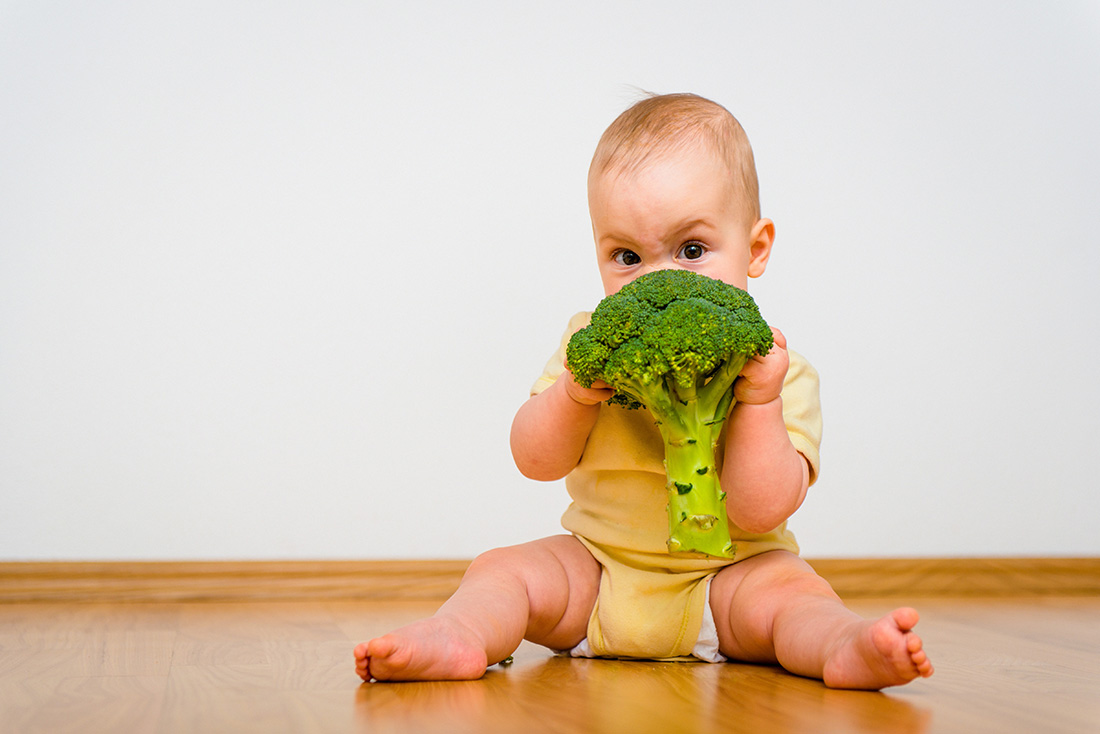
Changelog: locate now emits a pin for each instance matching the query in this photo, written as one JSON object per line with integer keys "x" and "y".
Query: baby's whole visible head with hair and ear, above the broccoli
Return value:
{"x": 673, "y": 184}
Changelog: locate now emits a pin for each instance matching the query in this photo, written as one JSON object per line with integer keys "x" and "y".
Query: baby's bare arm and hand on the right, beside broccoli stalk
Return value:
{"x": 764, "y": 476}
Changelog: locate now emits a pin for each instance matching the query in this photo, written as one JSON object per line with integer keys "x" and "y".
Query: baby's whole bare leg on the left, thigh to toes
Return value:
{"x": 544, "y": 591}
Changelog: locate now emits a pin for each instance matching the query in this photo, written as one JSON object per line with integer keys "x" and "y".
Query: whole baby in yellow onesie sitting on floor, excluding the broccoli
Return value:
{"x": 673, "y": 184}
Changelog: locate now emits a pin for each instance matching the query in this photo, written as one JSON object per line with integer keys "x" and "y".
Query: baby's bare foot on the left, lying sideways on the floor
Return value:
{"x": 430, "y": 650}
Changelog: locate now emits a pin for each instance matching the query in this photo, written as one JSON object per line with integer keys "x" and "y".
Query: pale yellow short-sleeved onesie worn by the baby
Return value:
{"x": 652, "y": 604}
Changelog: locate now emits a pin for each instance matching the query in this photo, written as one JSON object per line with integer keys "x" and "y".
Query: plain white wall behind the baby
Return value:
{"x": 274, "y": 279}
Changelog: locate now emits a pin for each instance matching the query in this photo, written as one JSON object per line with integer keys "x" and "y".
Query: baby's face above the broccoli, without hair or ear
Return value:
{"x": 675, "y": 213}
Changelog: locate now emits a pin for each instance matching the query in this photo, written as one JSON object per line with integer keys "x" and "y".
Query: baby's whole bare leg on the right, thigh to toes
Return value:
{"x": 774, "y": 609}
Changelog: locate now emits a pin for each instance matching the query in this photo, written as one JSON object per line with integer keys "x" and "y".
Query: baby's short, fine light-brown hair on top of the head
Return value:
{"x": 662, "y": 125}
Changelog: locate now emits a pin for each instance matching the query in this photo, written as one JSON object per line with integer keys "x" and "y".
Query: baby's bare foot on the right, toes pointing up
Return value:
{"x": 879, "y": 654}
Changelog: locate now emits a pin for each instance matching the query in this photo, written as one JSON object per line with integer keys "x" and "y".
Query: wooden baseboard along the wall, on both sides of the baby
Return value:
{"x": 435, "y": 580}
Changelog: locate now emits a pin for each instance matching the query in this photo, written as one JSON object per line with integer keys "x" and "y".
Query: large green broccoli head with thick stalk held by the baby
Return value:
{"x": 674, "y": 342}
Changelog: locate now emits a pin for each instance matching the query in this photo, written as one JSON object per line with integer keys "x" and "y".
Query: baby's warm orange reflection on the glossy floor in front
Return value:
{"x": 557, "y": 695}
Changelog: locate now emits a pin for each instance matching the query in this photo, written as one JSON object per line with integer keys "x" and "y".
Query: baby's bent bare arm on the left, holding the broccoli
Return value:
{"x": 552, "y": 429}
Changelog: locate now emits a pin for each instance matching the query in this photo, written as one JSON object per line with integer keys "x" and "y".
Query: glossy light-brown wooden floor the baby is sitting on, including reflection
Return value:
{"x": 1005, "y": 665}
